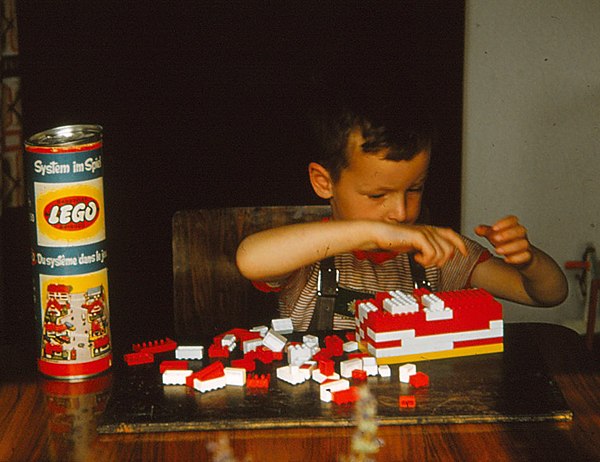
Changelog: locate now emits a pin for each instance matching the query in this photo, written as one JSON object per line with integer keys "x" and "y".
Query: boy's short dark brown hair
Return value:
{"x": 403, "y": 126}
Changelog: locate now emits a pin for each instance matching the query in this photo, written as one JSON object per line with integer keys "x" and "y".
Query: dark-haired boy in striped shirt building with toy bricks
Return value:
{"x": 372, "y": 171}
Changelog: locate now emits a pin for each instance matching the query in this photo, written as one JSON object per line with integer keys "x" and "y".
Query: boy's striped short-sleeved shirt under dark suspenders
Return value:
{"x": 298, "y": 293}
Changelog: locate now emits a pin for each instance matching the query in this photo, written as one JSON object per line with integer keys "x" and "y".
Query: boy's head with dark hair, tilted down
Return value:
{"x": 374, "y": 162}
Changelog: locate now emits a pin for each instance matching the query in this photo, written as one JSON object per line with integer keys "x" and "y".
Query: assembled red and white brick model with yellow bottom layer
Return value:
{"x": 397, "y": 327}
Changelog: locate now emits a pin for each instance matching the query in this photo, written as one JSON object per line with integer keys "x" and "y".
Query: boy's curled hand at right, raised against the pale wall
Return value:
{"x": 509, "y": 239}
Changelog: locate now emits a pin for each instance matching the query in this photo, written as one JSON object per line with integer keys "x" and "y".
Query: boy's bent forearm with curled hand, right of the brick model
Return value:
{"x": 523, "y": 273}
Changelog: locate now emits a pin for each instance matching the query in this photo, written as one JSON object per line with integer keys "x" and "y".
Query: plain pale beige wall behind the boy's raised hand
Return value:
{"x": 531, "y": 139}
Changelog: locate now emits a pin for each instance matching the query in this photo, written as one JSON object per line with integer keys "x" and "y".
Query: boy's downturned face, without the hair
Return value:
{"x": 373, "y": 188}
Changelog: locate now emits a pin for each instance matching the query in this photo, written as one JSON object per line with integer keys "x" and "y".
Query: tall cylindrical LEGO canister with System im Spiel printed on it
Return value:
{"x": 68, "y": 251}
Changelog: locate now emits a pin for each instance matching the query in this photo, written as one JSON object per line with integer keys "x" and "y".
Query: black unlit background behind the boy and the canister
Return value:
{"x": 202, "y": 106}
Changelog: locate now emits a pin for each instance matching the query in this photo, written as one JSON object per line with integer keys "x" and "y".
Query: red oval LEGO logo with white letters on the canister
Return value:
{"x": 72, "y": 213}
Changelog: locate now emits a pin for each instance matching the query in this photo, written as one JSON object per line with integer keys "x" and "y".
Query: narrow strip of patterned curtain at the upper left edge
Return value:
{"x": 11, "y": 135}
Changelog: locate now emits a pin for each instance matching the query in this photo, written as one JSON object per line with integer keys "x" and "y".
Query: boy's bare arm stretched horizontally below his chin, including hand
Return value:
{"x": 272, "y": 254}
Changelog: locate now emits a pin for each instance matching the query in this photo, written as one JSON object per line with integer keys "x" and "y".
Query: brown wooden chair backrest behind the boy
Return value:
{"x": 210, "y": 295}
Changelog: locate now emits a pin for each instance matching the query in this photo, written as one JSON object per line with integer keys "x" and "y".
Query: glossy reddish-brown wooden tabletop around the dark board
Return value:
{"x": 33, "y": 425}
